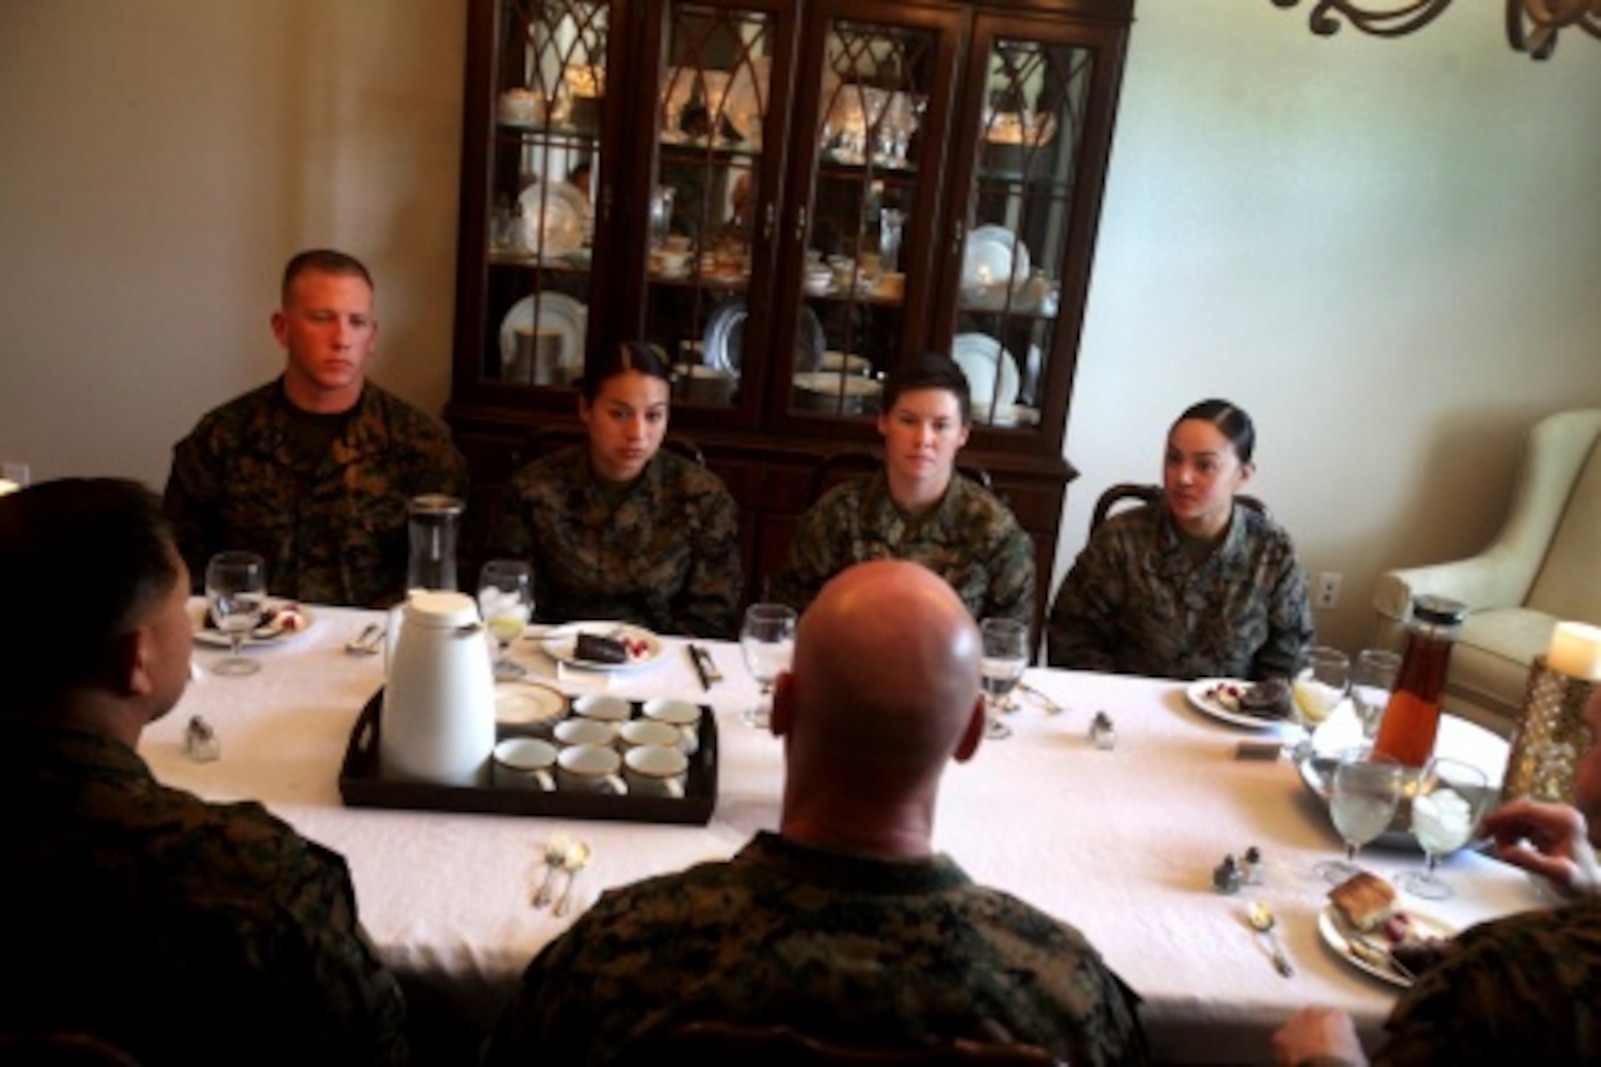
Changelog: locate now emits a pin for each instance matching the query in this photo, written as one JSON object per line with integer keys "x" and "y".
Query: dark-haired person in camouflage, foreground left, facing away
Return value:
{"x": 177, "y": 930}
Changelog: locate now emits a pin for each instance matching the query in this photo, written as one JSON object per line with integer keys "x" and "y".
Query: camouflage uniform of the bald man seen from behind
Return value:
{"x": 843, "y": 948}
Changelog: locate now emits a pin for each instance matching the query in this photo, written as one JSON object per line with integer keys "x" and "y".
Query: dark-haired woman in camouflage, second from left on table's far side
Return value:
{"x": 617, "y": 528}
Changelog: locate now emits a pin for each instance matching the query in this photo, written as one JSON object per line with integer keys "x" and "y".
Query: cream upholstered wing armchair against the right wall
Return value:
{"x": 1541, "y": 570}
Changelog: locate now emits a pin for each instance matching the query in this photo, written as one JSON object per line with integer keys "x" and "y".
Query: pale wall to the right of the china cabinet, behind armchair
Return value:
{"x": 1387, "y": 251}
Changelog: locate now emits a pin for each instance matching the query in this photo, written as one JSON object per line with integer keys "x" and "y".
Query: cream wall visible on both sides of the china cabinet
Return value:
{"x": 1386, "y": 251}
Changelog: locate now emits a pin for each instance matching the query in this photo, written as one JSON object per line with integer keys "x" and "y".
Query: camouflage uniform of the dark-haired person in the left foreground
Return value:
{"x": 183, "y": 932}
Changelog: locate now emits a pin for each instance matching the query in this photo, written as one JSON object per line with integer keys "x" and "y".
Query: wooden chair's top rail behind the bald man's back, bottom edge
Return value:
{"x": 729, "y": 1045}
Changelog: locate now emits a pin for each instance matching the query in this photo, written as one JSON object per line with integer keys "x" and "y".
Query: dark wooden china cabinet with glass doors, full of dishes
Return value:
{"x": 787, "y": 199}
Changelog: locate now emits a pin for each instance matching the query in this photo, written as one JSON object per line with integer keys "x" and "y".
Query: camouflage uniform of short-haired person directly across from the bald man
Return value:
{"x": 969, "y": 539}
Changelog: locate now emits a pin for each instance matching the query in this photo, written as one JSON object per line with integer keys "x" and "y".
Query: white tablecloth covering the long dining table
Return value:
{"x": 1118, "y": 832}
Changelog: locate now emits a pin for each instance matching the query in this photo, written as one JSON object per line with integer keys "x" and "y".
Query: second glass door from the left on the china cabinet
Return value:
{"x": 708, "y": 235}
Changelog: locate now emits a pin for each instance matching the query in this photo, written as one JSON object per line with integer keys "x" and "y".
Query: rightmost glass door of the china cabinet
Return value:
{"x": 1019, "y": 222}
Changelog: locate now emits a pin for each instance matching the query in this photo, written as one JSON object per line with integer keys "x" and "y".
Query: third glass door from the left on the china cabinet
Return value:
{"x": 867, "y": 212}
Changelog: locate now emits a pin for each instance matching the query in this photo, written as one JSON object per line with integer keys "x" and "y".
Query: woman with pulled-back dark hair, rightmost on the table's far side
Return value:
{"x": 1195, "y": 586}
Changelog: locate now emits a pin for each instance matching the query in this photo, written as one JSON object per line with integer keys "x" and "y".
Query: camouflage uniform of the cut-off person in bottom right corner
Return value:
{"x": 1519, "y": 991}
